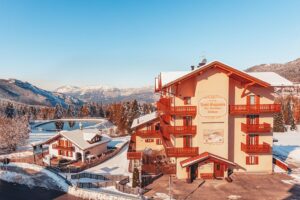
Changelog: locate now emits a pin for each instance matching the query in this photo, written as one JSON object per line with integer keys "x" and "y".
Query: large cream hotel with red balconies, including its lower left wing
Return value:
{"x": 212, "y": 120}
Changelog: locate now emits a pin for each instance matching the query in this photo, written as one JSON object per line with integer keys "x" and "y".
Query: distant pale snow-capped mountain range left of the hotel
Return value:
{"x": 108, "y": 94}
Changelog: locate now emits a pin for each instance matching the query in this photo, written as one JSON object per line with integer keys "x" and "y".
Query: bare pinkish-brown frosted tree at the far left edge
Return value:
{"x": 13, "y": 132}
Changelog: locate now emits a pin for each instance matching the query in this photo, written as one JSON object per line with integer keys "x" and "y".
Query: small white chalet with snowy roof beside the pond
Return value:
{"x": 78, "y": 144}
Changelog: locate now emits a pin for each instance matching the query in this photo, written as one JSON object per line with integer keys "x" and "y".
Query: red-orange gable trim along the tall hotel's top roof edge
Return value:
{"x": 223, "y": 67}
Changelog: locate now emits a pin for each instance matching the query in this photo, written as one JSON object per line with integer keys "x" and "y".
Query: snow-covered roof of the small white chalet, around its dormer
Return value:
{"x": 77, "y": 137}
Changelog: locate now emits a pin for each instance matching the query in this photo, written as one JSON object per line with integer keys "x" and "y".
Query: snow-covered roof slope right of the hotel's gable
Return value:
{"x": 272, "y": 78}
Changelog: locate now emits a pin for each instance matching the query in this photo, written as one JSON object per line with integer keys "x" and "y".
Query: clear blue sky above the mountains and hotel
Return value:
{"x": 126, "y": 43}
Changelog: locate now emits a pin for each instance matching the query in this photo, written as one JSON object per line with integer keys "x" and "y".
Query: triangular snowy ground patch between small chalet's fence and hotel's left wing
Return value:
{"x": 117, "y": 165}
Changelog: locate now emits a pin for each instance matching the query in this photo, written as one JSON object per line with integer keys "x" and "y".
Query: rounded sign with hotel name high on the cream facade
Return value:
{"x": 213, "y": 106}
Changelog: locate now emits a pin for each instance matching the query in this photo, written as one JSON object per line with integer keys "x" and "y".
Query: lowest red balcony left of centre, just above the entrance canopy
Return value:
{"x": 182, "y": 151}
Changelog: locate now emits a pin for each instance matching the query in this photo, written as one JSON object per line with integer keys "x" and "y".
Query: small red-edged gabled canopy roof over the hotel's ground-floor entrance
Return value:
{"x": 205, "y": 157}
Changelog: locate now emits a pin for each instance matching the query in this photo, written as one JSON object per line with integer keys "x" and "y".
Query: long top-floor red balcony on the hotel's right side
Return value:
{"x": 254, "y": 109}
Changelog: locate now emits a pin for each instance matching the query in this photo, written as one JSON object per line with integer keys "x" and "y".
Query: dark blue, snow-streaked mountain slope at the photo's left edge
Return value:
{"x": 26, "y": 93}
